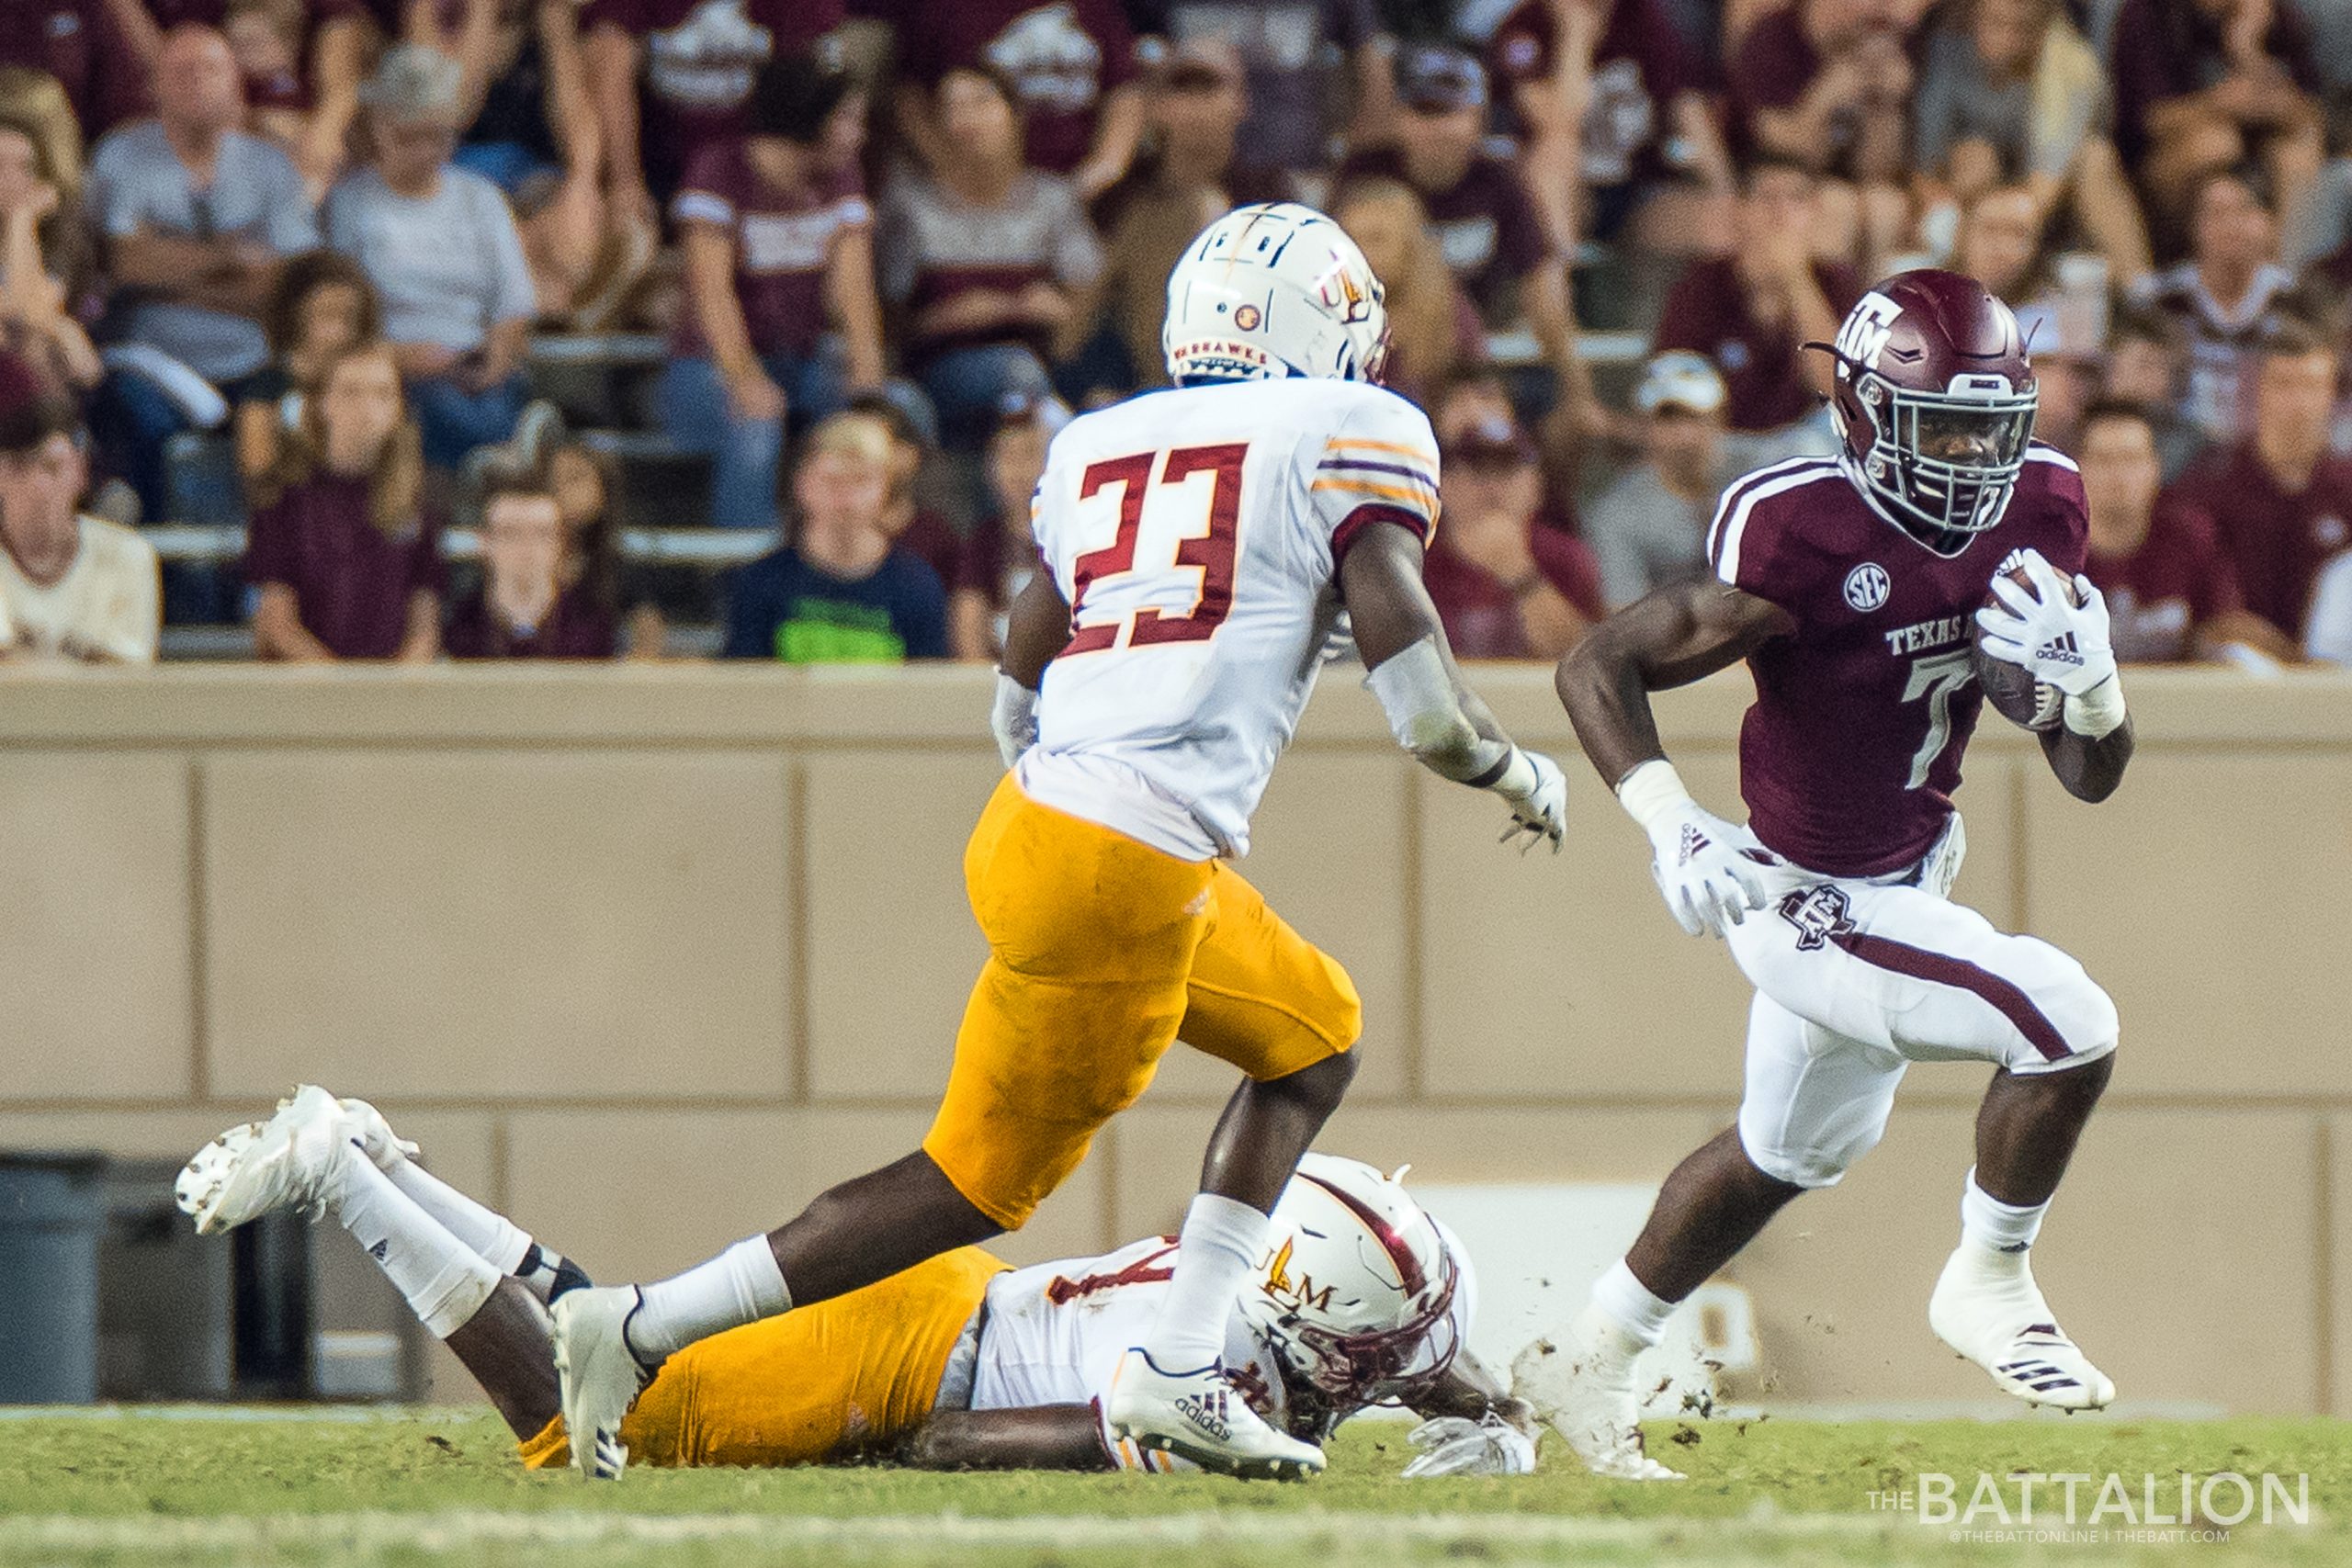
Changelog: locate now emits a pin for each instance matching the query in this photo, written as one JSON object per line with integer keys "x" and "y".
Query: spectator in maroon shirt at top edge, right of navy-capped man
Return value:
{"x": 1617, "y": 130}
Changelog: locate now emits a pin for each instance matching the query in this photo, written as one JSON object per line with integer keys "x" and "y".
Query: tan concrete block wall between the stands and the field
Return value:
{"x": 653, "y": 956}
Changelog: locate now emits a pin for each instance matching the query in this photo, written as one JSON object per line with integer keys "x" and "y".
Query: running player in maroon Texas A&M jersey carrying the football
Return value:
{"x": 1855, "y": 589}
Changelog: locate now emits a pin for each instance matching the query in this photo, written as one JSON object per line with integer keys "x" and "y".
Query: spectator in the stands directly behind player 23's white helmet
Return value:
{"x": 1189, "y": 173}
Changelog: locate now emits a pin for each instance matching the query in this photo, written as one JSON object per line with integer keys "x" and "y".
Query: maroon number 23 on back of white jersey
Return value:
{"x": 1210, "y": 554}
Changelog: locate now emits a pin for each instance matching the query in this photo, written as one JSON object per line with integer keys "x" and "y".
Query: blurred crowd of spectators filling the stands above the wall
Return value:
{"x": 293, "y": 269}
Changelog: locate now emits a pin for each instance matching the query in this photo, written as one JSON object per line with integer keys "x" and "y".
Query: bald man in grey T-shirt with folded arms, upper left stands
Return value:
{"x": 196, "y": 222}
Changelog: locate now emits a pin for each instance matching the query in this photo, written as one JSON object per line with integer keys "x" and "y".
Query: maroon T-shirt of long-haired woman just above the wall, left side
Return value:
{"x": 349, "y": 577}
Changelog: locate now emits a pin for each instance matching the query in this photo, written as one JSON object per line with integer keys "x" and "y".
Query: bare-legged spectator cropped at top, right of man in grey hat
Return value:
{"x": 530, "y": 130}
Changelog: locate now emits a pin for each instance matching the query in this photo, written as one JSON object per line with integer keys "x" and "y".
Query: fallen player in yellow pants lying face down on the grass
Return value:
{"x": 956, "y": 1365}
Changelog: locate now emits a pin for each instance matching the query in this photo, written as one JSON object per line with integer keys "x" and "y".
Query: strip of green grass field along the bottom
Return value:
{"x": 443, "y": 1487}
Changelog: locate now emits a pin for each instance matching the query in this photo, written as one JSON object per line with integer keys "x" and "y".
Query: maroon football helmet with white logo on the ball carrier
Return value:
{"x": 1935, "y": 406}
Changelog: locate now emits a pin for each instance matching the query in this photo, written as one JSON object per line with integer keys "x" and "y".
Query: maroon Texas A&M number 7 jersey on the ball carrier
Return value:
{"x": 1852, "y": 749}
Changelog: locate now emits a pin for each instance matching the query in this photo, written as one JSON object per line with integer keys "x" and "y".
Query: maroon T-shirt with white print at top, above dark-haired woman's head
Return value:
{"x": 700, "y": 62}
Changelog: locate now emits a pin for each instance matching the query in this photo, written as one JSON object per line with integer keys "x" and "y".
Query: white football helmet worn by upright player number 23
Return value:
{"x": 1269, "y": 293}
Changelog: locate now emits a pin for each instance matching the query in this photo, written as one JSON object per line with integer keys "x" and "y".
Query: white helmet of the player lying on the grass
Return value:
{"x": 1361, "y": 1289}
